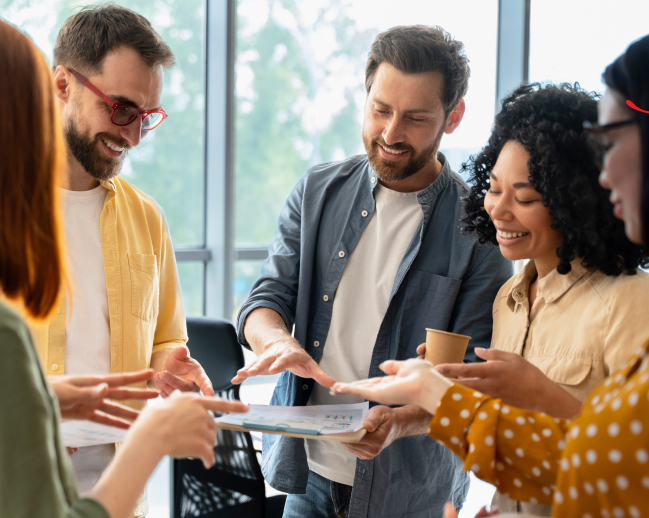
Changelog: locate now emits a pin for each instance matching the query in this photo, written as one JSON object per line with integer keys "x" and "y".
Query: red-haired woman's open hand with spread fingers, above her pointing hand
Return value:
{"x": 88, "y": 397}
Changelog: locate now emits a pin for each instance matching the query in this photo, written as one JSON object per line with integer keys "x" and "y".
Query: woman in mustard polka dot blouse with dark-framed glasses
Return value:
{"x": 596, "y": 465}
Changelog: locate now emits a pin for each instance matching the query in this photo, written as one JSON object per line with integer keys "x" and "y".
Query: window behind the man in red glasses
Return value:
{"x": 169, "y": 163}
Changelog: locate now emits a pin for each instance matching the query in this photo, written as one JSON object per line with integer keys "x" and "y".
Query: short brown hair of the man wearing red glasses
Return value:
{"x": 86, "y": 38}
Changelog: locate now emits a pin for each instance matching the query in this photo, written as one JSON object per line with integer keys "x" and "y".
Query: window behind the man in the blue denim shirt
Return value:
{"x": 299, "y": 91}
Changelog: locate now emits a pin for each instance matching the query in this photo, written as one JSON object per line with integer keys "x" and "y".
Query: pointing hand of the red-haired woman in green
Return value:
{"x": 181, "y": 425}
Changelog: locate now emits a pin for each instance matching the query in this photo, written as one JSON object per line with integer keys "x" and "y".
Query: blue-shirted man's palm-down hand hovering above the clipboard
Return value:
{"x": 285, "y": 354}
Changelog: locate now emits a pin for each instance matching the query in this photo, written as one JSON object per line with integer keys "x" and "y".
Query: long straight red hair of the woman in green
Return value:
{"x": 33, "y": 158}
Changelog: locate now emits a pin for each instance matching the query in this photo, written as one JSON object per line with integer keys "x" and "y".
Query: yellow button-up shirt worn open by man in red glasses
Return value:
{"x": 144, "y": 300}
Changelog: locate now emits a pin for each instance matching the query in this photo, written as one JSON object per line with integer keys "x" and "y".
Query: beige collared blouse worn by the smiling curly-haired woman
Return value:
{"x": 582, "y": 326}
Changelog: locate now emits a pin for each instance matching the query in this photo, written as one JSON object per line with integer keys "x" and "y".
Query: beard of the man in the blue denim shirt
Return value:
{"x": 388, "y": 171}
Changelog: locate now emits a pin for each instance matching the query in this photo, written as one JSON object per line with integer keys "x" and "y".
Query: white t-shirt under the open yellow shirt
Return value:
{"x": 87, "y": 328}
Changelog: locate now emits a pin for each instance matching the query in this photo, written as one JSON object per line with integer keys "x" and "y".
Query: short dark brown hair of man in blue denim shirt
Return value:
{"x": 414, "y": 49}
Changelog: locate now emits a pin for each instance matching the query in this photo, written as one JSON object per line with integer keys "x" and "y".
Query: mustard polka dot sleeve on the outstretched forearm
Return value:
{"x": 515, "y": 450}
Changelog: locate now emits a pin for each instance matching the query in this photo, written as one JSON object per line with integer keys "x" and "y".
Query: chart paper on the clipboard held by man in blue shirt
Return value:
{"x": 322, "y": 419}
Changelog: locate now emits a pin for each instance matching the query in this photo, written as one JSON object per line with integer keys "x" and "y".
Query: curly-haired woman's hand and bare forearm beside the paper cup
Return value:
{"x": 513, "y": 379}
